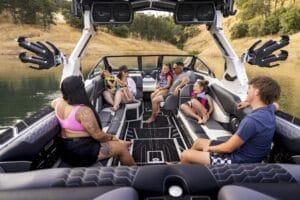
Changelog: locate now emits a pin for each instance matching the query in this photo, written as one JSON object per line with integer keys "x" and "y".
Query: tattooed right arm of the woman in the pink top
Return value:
{"x": 87, "y": 118}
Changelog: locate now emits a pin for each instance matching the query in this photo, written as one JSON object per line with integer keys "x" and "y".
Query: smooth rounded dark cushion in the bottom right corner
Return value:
{"x": 266, "y": 191}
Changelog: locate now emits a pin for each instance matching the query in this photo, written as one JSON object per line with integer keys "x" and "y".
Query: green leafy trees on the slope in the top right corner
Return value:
{"x": 259, "y": 18}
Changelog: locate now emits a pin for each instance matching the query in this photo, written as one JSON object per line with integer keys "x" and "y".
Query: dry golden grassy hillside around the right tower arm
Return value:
{"x": 208, "y": 50}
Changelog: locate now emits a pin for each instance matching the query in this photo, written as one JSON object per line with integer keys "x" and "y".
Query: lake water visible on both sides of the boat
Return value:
{"x": 24, "y": 91}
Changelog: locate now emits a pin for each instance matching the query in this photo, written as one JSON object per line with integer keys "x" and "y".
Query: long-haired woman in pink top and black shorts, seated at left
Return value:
{"x": 82, "y": 141}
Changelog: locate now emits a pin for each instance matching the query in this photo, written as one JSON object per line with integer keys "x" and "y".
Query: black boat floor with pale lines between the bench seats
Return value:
{"x": 158, "y": 142}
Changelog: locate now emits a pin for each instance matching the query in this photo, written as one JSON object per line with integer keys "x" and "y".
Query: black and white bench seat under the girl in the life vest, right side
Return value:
{"x": 224, "y": 120}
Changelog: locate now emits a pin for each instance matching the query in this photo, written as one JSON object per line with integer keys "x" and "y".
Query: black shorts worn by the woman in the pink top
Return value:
{"x": 79, "y": 151}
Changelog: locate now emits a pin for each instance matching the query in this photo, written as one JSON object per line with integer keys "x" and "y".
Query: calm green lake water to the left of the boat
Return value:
{"x": 23, "y": 90}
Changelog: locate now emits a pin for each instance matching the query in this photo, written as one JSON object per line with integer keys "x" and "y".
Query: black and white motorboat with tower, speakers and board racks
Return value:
{"x": 30, "y": 163}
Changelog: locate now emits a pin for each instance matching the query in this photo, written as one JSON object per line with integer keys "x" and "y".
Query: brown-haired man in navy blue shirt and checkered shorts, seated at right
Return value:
{"x": 252, "y": 141}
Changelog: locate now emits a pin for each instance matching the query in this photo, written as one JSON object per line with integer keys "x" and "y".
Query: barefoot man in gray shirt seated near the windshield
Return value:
{"x": 180, "y": 80}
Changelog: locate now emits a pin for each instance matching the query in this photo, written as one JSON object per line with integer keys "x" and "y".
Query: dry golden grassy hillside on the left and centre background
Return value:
{"x": 66, "y": 38}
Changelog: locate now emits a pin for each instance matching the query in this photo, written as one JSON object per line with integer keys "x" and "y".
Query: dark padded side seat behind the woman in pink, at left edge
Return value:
{"x": 31, "y": 141}
